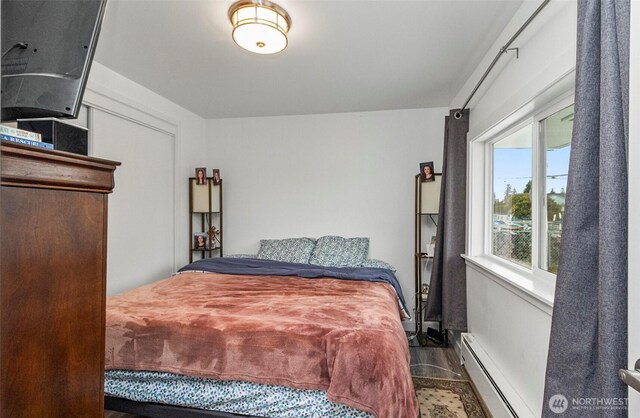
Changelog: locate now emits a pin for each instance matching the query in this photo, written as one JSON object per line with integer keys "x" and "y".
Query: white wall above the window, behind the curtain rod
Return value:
{"x": 547, "y": 50}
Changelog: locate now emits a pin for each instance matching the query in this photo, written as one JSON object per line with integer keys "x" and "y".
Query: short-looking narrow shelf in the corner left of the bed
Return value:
{"x": 205, "y": 217}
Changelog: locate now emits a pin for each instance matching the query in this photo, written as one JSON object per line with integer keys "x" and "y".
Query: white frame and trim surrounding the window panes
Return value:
{"x": 533, "y": 283}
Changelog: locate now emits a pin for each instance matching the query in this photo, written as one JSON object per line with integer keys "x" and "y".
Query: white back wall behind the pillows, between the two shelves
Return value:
{"x": 349, "y": 174}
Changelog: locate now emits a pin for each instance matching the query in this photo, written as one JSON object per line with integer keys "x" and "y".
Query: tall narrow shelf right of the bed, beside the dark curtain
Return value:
{"x": 427, "y": 200}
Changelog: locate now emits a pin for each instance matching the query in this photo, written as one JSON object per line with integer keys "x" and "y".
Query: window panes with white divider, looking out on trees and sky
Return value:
{"x": 529, "y": 165}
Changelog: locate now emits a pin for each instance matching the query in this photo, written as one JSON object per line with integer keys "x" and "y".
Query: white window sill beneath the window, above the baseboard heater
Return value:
{"x": 535, "y": 290}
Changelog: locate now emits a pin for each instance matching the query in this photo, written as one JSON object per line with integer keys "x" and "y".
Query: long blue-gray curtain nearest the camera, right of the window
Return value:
{"x": 589, "y": 327}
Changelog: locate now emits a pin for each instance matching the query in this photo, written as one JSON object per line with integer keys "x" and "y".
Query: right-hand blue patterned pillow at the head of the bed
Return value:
{"x": 336, "y": 251}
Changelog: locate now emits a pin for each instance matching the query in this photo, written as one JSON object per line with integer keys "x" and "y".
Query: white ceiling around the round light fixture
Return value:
{"x": 343, "y": 56}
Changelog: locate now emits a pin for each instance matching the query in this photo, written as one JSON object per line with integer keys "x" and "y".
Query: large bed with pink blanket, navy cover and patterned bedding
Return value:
{"x": 259, "y": 337}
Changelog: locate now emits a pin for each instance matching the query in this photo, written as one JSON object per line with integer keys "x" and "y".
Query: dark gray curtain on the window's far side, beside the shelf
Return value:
{"x": 447, "y": 300}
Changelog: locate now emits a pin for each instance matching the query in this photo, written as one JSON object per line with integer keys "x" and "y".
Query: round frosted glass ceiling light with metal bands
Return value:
{"x": 259, "y": 26}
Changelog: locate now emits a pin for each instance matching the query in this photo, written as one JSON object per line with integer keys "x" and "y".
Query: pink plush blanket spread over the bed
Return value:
{"x": 344, "y": 337}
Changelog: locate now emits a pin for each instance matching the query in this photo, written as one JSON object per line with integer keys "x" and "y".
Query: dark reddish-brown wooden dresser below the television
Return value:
{"x": 53, "y": 232}
